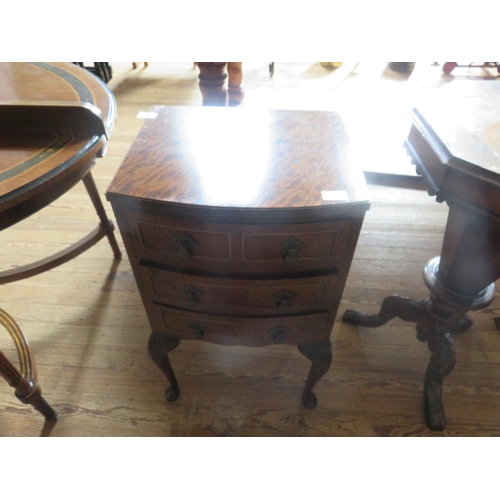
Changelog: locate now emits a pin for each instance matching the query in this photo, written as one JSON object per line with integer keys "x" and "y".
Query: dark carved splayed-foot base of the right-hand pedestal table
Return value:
{"x": 443, "y": 313}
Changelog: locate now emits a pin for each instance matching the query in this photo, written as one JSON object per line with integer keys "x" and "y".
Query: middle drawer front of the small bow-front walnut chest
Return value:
{"x": 229, "y": 296}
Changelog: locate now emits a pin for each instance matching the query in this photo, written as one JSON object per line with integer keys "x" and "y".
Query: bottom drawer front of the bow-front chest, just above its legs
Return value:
{"x": 292, "y": 330}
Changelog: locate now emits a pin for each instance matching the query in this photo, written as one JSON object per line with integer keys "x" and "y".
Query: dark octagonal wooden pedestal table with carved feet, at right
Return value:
{"x": 455, "y": 143}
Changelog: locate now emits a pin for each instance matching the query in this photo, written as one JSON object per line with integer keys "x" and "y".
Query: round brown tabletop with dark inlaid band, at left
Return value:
{"x": 31, "y": 96}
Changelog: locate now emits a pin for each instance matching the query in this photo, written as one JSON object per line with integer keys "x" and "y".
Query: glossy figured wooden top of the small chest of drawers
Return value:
{"x": 242, "y": 158}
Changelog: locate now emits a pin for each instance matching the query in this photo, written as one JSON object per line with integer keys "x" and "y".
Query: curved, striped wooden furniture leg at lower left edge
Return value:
{"x": 24, "y": 381}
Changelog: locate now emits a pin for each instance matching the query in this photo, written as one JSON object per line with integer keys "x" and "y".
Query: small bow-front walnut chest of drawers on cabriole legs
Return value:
{"x": 240, "y": 226}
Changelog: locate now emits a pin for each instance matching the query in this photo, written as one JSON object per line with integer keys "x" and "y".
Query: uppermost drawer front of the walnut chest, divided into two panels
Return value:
{"x": 238, "y": 247}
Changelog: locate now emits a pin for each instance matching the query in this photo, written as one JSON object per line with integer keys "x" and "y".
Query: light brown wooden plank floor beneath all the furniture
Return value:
{"x": 88, "y": 329}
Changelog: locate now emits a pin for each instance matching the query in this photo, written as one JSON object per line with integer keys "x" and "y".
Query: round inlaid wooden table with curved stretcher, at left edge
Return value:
{"x": 54, "y": 123}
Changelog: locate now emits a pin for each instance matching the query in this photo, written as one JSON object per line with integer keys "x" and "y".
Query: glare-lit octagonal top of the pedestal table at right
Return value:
{"x": 455, "y": 144}
